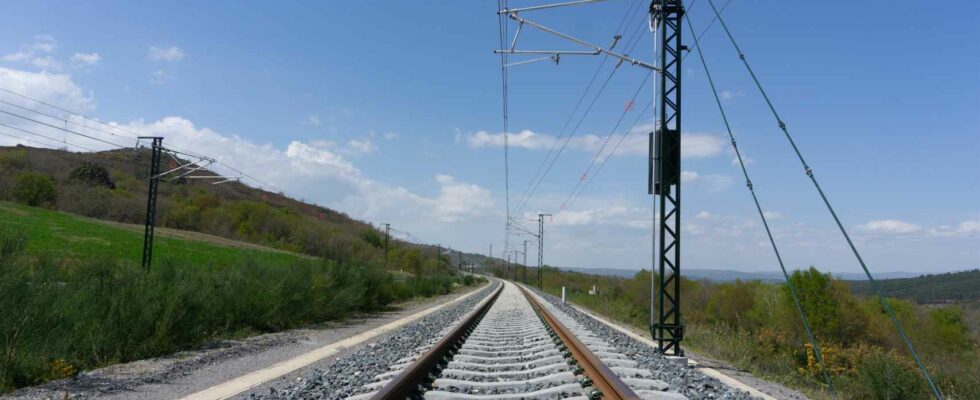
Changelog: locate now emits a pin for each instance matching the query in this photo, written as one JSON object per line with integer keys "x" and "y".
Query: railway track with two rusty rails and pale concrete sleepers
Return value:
{"x": 514, "y": 345}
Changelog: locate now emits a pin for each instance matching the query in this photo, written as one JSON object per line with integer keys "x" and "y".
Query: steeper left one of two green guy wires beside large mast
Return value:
{"x": 762, "y": 215}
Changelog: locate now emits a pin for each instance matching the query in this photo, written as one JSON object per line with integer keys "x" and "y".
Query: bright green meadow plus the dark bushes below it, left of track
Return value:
{"x": 75, "y": 298}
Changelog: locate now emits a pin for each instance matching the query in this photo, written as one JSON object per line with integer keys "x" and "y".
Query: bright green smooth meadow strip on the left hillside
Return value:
{"x": 65, "y": 236}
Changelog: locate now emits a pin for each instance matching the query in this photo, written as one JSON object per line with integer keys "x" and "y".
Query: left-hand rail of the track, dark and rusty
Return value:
{"x": 418, "y": 374}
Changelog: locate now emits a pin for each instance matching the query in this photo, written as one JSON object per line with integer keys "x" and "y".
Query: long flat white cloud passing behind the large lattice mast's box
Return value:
{"x": 693, "y": 145}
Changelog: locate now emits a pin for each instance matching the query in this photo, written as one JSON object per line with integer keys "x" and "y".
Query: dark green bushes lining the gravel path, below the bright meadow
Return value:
{"x": 57, "y": 320}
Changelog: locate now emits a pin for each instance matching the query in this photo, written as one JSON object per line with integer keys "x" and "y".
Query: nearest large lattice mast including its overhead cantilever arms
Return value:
{"x": 665, "y": 143}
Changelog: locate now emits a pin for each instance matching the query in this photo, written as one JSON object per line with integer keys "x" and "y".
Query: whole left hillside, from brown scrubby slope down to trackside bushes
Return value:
{"x": 235, "y": 261}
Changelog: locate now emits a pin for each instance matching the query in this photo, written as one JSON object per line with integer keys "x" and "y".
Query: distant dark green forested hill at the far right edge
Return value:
{"x": 939, "y": 288}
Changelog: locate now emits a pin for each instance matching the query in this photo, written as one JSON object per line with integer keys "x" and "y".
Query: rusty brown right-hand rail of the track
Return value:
{"x": 603, "y": 378}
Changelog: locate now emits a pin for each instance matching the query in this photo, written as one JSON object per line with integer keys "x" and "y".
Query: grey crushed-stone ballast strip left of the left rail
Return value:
{"x": 347, "y": 375}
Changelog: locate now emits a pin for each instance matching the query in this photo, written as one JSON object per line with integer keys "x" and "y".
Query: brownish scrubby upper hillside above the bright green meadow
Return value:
{"x": 112, "y": 186}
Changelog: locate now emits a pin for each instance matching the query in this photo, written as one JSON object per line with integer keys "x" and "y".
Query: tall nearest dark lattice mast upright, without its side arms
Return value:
{"x": 664, "y": 174}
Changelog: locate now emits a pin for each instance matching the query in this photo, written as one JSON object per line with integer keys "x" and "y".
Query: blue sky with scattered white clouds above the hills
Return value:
{"x": 390, "y": 111}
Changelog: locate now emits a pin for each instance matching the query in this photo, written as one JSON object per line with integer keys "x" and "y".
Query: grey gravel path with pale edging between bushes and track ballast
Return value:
{"x": 188, "y": 372}
